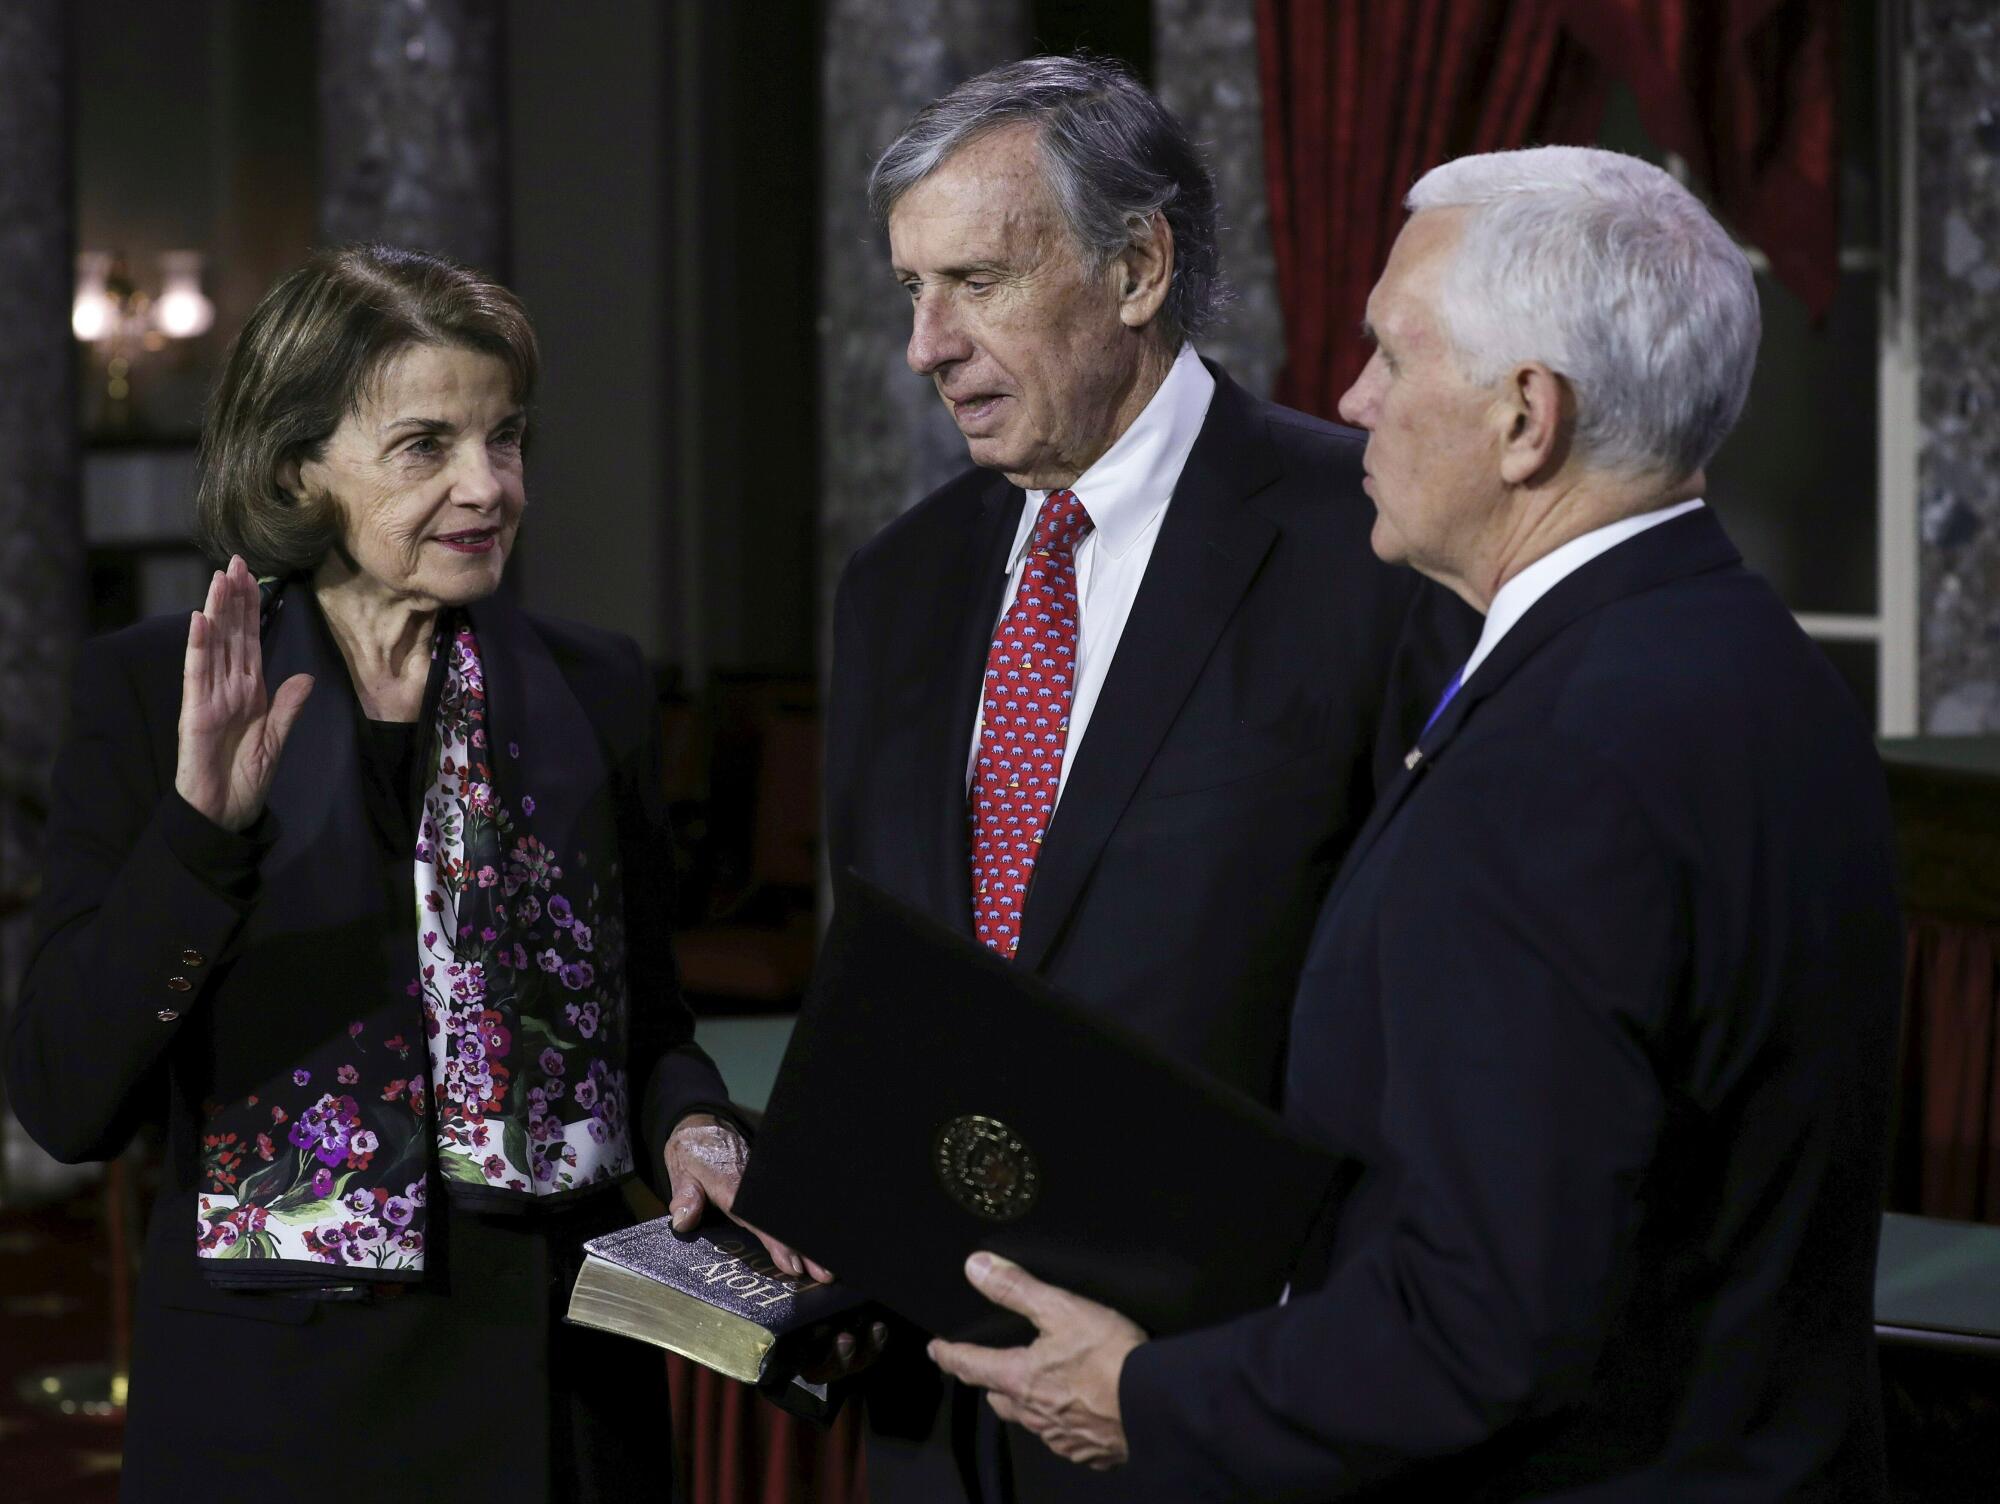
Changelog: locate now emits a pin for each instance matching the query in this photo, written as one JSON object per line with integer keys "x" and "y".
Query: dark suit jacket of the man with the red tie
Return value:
{"x": 1271, "y": 667}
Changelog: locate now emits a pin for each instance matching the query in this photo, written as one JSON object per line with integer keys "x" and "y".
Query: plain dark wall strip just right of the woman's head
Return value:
{"x": 591, "y": 203}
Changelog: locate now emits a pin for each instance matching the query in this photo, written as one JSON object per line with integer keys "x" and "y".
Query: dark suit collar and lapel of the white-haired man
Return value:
{"x": 1673, "y": 551}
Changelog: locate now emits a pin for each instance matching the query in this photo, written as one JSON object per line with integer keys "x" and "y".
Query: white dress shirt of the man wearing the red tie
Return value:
{"x": 1125, "y": 493}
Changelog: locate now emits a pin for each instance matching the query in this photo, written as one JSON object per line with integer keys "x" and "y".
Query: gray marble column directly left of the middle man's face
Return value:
{"x": 887, "y": 439}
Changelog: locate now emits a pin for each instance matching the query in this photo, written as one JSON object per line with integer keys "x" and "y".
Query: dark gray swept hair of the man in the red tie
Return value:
{"x": 1113, "y": 157}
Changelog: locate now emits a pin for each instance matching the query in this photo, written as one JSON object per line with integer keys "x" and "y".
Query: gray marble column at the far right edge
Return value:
{"x": 1957, "y": 67}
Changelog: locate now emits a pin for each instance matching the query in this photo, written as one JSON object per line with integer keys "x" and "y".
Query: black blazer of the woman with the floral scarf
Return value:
{"x": 147, "y": 985}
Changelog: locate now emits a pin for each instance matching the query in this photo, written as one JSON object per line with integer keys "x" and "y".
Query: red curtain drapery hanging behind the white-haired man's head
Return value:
{"x": 1361, "y": 101}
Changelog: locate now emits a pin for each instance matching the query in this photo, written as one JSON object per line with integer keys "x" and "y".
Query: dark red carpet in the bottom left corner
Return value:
{"x": 53, "y": 1311}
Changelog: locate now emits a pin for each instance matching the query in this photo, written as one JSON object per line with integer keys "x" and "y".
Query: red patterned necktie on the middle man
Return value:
{"x": 1025, "y": 723}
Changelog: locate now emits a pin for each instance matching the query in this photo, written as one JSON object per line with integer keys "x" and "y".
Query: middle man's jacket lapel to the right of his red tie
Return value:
{"x": 1209, "y": 549}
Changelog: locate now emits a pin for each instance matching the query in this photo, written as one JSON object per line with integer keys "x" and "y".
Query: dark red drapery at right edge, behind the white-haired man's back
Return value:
{"x": 1949, "y": 1097}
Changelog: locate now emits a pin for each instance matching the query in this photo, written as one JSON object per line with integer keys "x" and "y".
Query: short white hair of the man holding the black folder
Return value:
{"x": 1615, "y": 277}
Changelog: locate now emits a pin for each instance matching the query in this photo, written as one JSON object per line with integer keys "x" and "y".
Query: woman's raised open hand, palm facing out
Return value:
{"x": 231, "y": 735}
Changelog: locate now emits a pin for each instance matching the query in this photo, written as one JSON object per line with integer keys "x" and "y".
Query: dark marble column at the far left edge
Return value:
{"x": 41, "y": 525}
